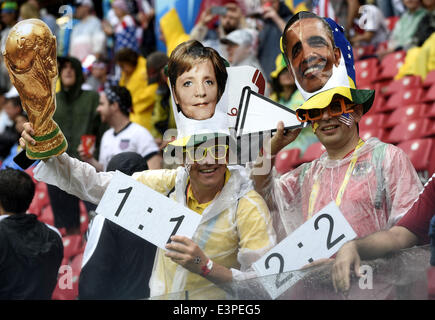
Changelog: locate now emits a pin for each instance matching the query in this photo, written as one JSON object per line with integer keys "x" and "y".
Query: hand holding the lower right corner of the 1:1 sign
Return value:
{"x": 184, "y": 251}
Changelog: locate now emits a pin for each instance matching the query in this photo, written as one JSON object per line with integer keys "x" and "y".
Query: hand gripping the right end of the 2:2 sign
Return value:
{"x": 346, "y": 257}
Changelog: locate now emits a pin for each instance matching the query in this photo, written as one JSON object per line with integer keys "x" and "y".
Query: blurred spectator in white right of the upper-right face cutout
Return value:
{"x": 374, "y": 28}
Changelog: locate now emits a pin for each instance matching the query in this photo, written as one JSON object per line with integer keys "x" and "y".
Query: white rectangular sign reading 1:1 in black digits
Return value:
{"x": 145, "y": 212}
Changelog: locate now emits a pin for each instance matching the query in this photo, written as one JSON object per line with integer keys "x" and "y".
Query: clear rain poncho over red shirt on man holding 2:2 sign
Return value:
{"x": 381, "y": 188}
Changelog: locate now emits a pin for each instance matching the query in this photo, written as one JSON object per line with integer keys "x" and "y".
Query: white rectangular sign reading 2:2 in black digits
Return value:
{"x": 319, "y": 237}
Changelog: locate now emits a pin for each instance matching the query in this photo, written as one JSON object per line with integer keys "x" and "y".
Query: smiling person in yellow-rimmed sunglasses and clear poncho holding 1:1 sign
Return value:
{"x": 235, "y": 229}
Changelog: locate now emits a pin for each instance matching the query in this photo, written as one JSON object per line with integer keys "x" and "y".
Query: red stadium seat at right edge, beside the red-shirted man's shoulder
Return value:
{"x": 421, "y": 152}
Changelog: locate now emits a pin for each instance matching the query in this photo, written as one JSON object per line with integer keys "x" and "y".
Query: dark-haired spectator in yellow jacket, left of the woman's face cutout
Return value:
{"x": 134, "y": 78}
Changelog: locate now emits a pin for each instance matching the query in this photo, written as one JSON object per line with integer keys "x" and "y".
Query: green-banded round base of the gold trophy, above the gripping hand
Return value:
{"x": 49, "y": 145}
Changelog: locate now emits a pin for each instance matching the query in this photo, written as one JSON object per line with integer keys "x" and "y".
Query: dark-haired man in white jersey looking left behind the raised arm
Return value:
{"x": 123, "y": 135}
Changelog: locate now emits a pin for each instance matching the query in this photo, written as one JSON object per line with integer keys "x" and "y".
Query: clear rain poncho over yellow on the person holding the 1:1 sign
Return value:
{"x": 235, "y": 230}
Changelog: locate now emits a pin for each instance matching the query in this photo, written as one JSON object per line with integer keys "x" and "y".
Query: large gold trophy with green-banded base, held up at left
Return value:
{"x": 30, "y": 57}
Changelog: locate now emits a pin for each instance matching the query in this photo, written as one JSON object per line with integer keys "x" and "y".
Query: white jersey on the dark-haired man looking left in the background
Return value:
{"x": 133, "y": 138}
